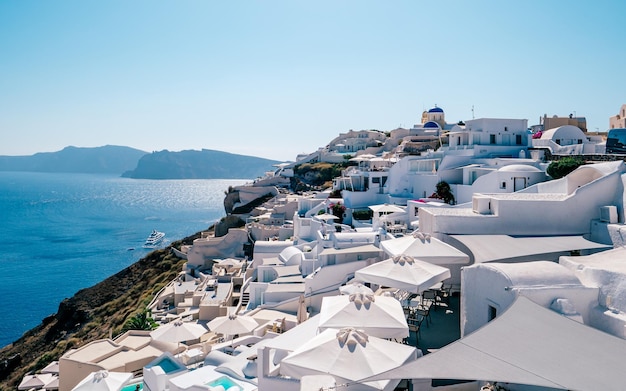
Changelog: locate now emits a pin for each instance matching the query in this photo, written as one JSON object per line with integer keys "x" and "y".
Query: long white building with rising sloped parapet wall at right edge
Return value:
{"x": 567, "y": 206}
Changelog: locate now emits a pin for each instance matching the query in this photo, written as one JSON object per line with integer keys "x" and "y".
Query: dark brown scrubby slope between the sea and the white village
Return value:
{"x": 92, "y": 313}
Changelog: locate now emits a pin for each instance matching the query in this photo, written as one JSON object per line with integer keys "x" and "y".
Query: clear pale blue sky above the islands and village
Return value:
{"x": 276, "y": 78}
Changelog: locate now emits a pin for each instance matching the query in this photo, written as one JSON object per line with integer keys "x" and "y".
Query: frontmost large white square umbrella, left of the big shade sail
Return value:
{"x": 347, "y": 355}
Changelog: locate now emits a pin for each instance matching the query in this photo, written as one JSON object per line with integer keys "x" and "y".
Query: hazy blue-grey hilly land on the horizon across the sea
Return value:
{"x": 133, "y": 163}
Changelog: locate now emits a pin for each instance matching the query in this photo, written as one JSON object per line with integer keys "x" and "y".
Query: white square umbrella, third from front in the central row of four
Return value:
{"x": 404, "y": 272}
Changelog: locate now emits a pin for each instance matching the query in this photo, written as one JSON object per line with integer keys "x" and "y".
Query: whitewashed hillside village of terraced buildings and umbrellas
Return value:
{"x": 444, "y": 257}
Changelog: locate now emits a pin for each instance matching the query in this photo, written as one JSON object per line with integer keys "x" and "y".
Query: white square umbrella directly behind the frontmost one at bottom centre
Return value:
{"x": 378, "y": 316}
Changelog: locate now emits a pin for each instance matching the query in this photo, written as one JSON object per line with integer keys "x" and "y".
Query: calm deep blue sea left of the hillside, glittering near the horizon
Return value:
{"x": 63, "y": 232}
